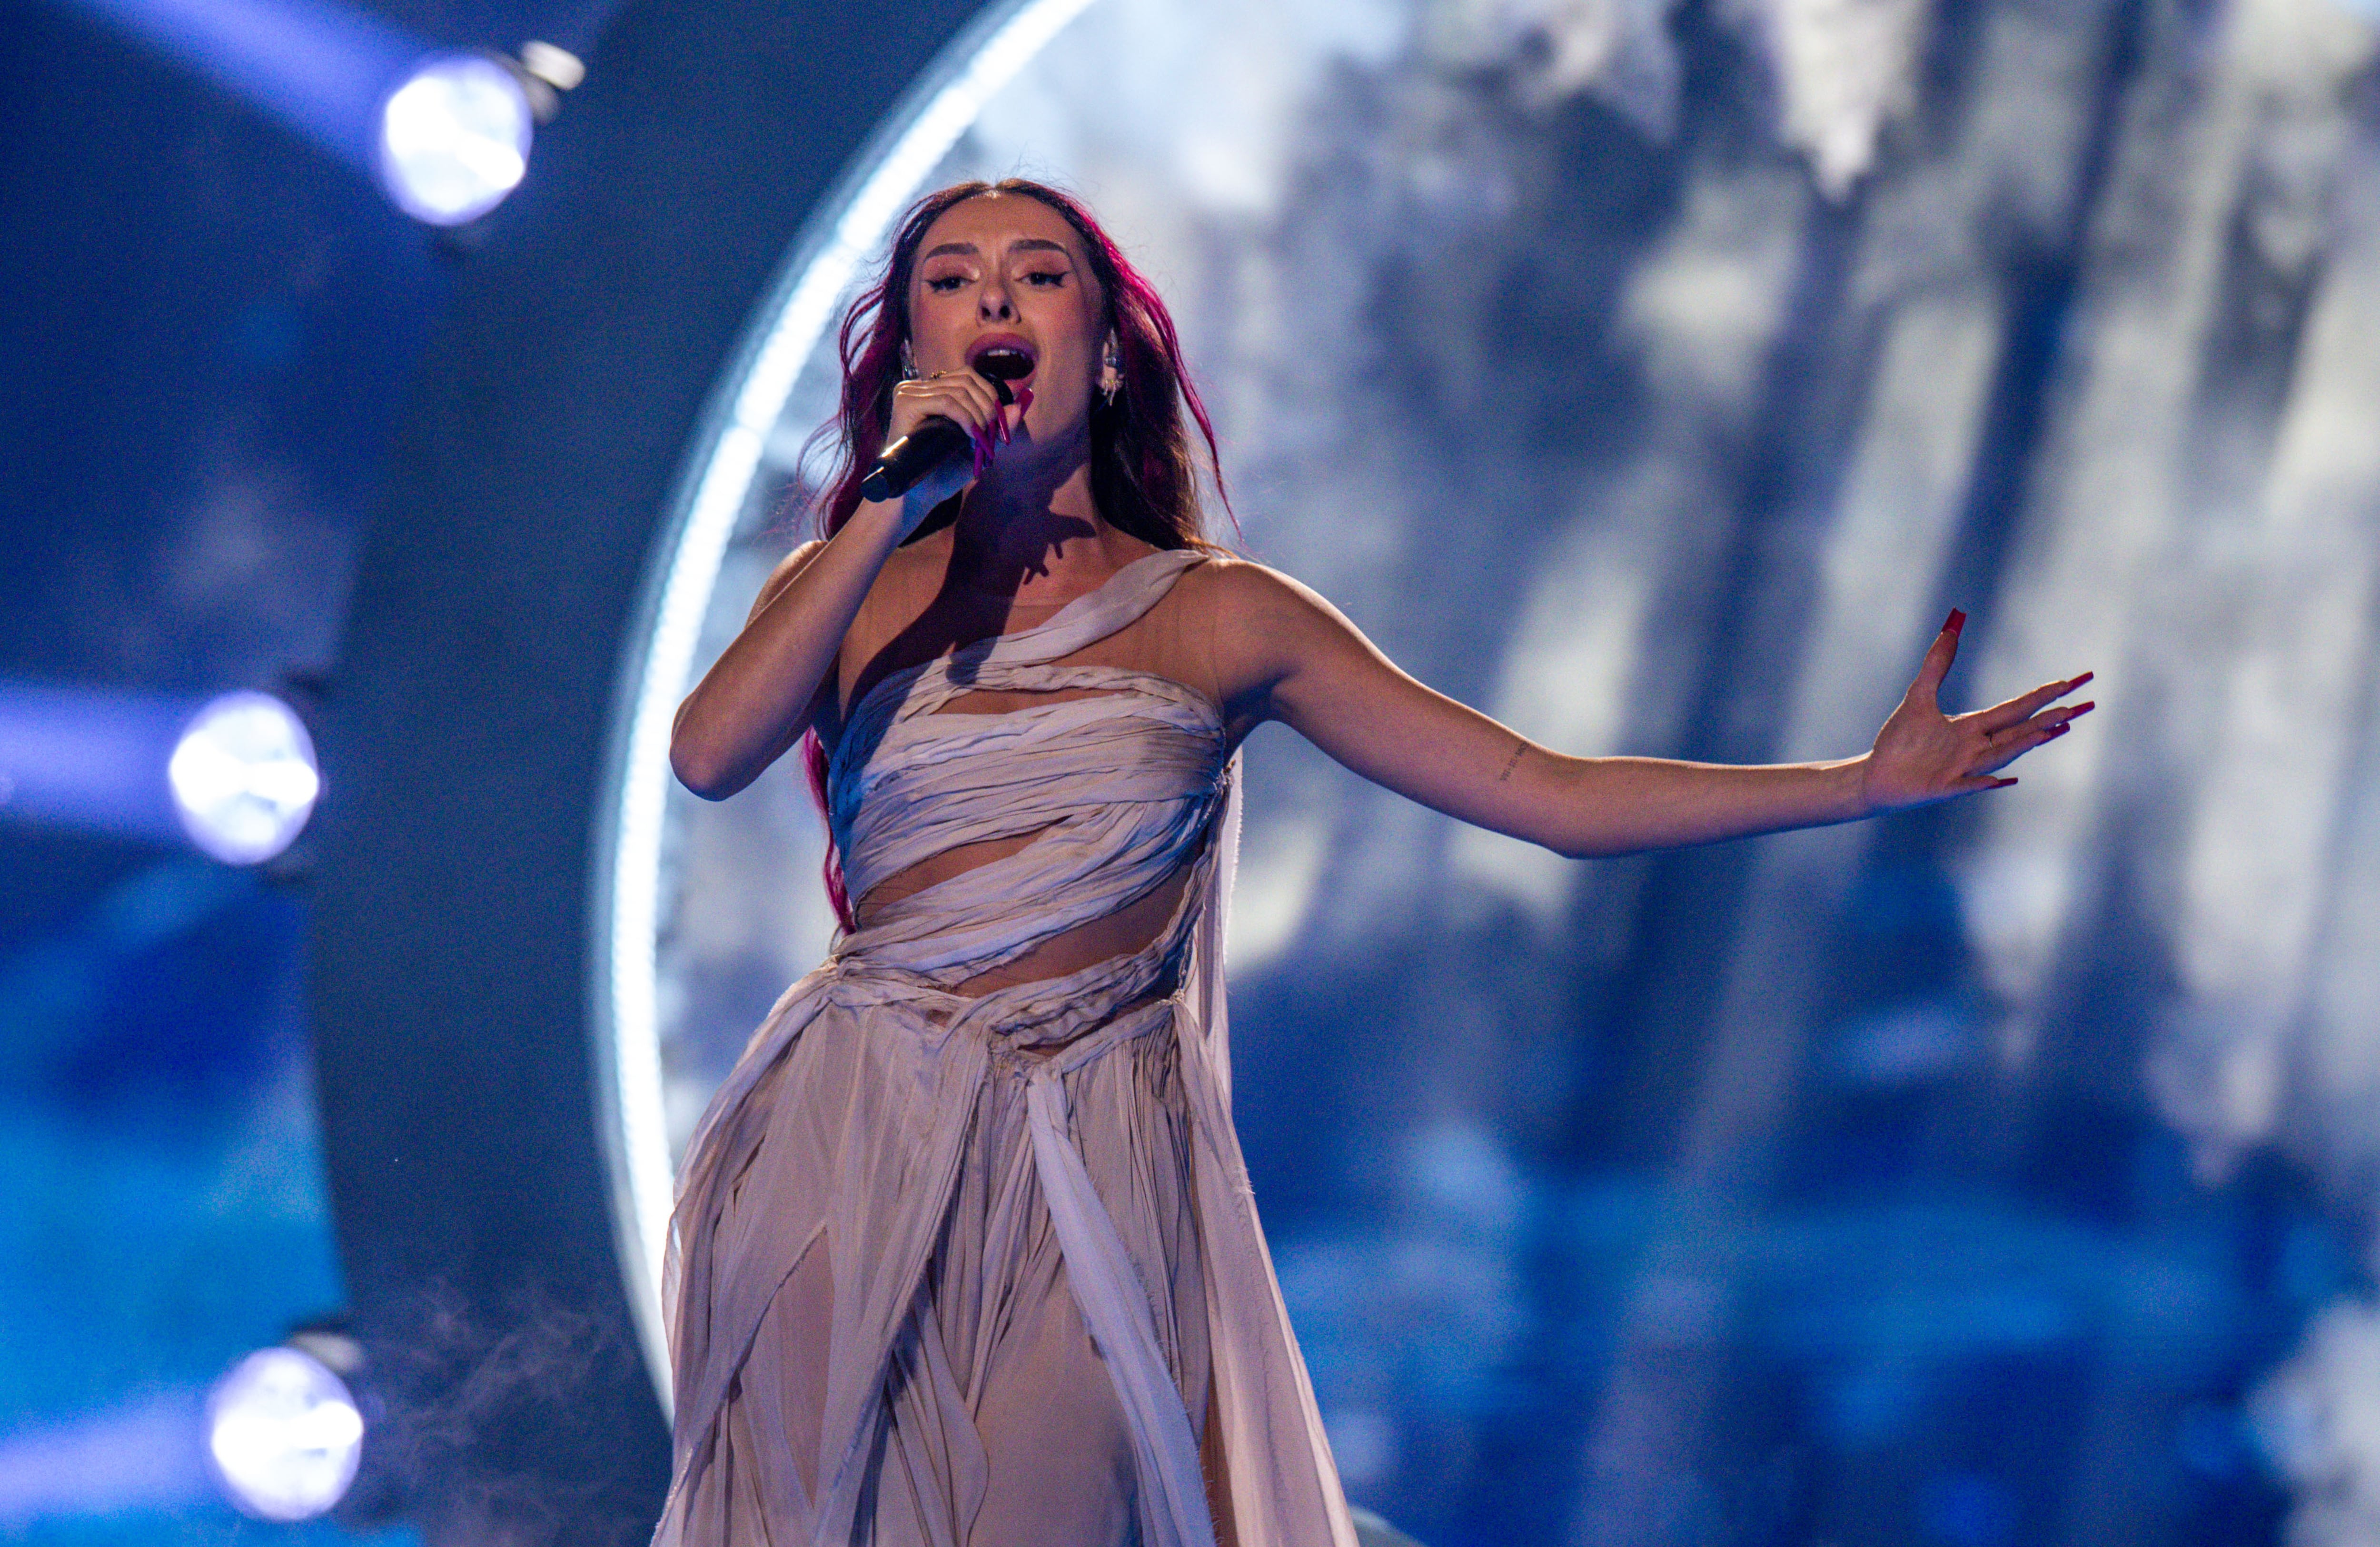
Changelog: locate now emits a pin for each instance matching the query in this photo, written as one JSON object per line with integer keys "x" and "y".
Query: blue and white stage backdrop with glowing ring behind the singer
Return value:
{"x": 1653, "y": 375}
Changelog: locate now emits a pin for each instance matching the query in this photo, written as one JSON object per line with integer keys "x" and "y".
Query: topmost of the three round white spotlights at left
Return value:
{"x": 456, "y": 139}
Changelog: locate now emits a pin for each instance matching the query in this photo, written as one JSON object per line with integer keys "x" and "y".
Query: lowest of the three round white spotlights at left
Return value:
{"x": 284, "y": 1436}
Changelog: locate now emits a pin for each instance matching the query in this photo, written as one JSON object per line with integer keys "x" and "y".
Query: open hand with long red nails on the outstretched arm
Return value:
{"x": 1924, "y": 756}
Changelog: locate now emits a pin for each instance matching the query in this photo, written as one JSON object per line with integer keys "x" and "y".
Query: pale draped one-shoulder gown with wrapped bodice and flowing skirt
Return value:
{"x": 987, "y": 1272}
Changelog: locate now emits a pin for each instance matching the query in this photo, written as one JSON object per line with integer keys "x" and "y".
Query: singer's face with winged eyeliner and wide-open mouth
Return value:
{"x": 1008, "y": 273}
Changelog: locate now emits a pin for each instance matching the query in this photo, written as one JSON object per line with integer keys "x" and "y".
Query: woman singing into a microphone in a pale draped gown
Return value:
{"x": 965, "y": 1253}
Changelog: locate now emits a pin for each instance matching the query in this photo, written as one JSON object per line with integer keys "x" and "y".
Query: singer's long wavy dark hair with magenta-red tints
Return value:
{"x": 1144, "y": 468}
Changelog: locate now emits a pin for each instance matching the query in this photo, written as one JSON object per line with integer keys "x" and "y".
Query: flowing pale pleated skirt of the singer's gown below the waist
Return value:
{"x": 982, "y": 1272}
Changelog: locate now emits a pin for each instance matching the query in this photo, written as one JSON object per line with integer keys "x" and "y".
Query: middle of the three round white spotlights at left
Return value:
{"x": 244, "y": 777}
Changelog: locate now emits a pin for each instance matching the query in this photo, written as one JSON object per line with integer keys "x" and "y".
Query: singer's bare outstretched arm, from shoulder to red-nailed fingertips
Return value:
{"x": 1291, "y": 656}
